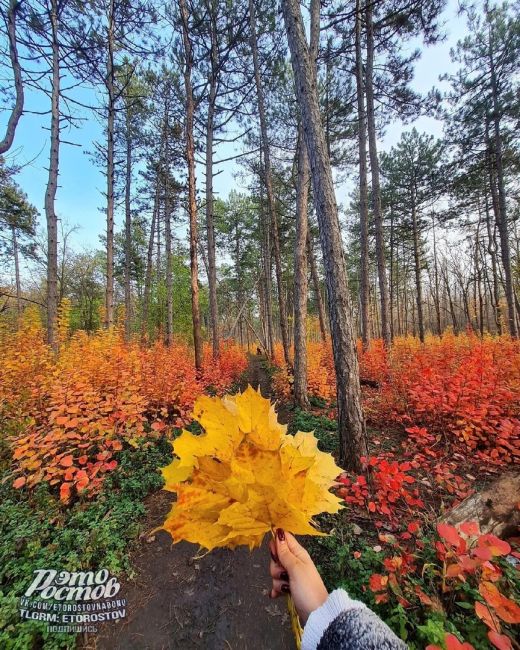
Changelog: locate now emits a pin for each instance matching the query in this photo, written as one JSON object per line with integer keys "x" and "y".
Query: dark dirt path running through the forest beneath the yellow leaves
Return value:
{"x": 218, "y": 602}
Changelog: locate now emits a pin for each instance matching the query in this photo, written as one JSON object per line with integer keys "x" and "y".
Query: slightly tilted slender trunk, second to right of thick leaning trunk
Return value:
{"x": 376, "y": 185}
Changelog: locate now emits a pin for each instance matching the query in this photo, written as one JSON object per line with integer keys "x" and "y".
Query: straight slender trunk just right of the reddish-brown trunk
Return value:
{"x": 210, "y": 223}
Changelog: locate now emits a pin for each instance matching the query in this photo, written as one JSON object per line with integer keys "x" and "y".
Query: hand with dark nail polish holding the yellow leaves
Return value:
{"x": 293, "y": 571}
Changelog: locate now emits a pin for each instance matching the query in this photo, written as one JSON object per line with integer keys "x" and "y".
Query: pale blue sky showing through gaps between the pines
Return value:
{"x": 82, "y": 183}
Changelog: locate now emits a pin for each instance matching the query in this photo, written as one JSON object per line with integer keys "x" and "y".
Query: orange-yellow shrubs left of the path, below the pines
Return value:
{"x": 68, "y": 415}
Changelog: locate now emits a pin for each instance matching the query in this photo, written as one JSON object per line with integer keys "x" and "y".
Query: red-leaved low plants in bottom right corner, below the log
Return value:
{"x": 467, "y": 571}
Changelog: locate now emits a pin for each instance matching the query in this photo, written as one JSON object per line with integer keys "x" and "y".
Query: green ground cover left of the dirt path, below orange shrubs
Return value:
{"x": 38, "y": 532}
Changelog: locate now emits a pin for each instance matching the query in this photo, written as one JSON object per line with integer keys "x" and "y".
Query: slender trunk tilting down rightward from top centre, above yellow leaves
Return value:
{"x": 264, "y": 144}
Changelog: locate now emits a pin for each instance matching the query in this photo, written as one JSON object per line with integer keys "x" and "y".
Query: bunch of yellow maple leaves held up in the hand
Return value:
{"x": 245, "y": 476}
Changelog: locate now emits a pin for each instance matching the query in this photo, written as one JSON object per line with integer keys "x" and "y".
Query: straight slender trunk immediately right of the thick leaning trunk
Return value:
{"x": 364, "y": 297}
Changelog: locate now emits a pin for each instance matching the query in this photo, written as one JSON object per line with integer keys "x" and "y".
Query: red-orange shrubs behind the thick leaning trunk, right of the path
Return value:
{"x": 462, "y": 387}
